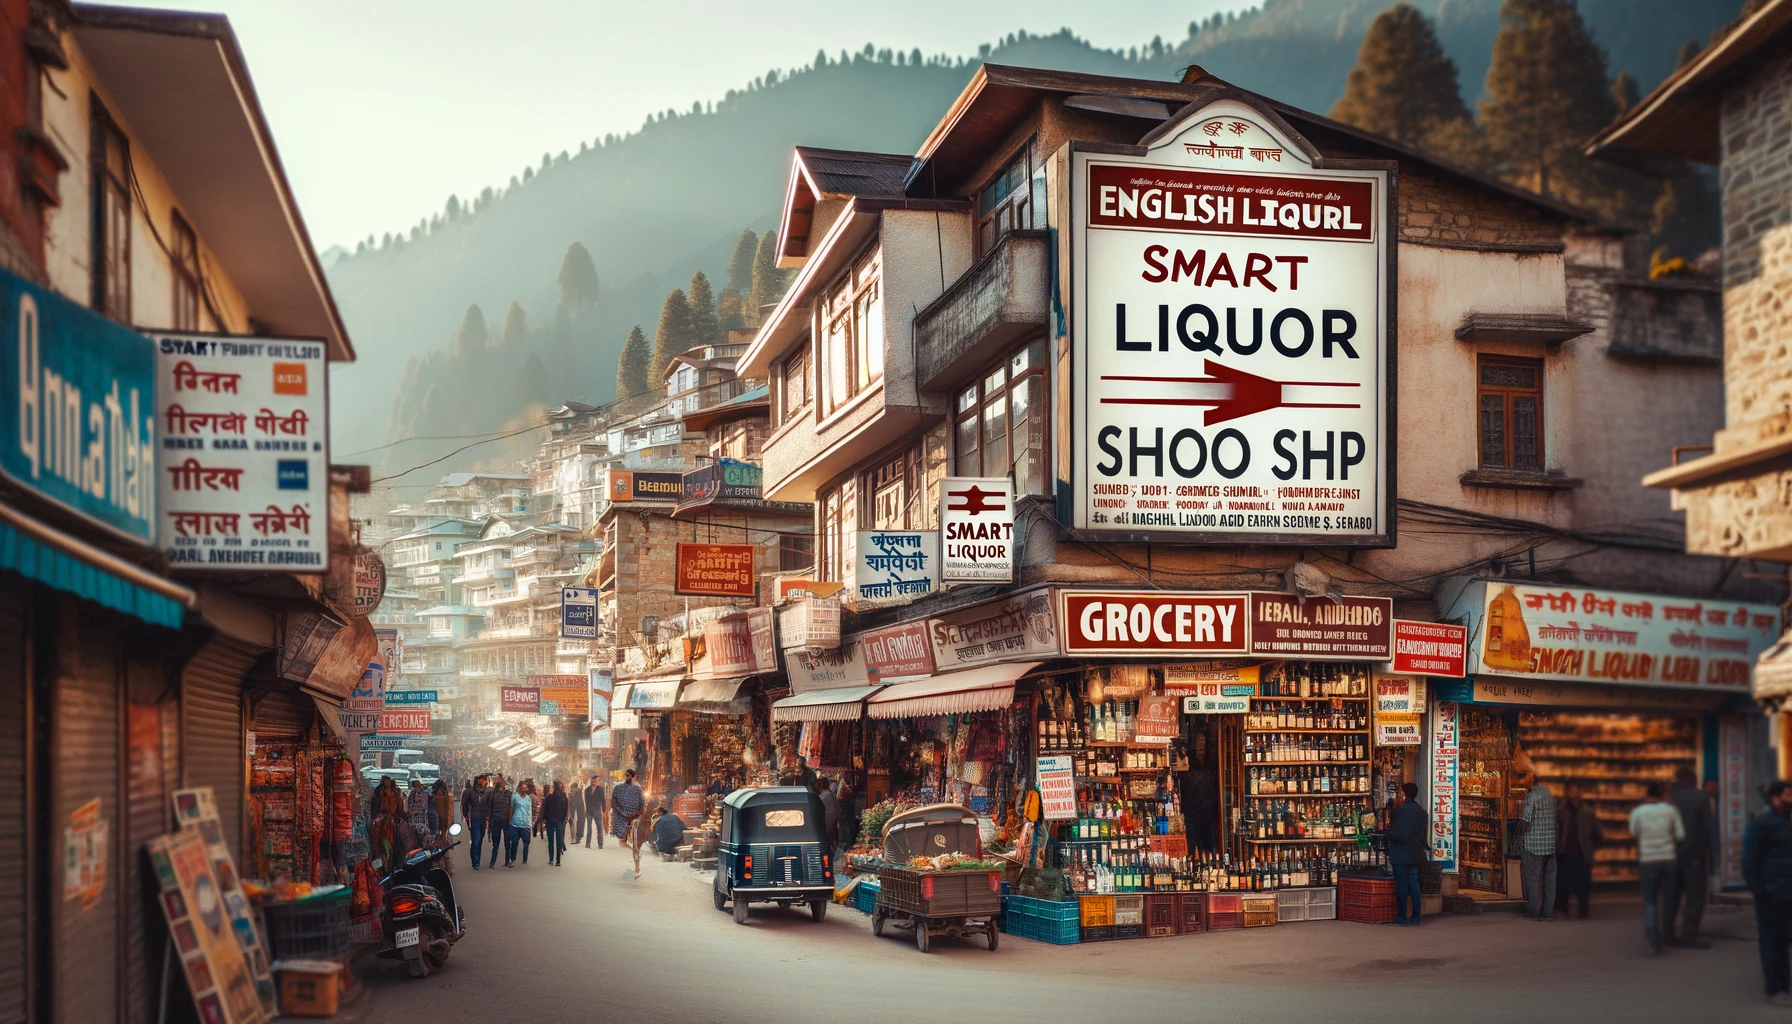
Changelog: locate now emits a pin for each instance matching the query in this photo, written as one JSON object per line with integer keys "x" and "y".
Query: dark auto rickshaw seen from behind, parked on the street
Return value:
{"x": 773, "y": 851}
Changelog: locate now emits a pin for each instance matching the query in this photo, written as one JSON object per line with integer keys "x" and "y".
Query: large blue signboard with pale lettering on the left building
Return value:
{"x": 80, "y": 424}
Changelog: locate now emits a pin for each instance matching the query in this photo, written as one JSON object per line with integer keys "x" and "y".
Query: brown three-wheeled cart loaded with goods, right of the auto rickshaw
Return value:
{"x": 936, "y": 903}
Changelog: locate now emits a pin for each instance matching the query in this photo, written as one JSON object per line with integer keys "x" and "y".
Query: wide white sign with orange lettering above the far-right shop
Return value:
{"x": 1615, "y": 638}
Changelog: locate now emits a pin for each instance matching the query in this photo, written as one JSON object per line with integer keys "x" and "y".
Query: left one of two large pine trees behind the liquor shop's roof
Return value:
{"x": 1404, "y": 85}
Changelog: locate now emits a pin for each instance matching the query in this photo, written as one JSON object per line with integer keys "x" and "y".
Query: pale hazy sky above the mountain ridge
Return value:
{"x": 384, "y": 108}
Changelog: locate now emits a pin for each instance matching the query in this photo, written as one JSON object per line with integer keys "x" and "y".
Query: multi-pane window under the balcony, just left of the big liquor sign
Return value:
{"x": 1001, "y": 422}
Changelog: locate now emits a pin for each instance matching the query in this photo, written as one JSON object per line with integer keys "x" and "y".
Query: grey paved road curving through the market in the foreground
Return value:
{"x": 590, "y": 942}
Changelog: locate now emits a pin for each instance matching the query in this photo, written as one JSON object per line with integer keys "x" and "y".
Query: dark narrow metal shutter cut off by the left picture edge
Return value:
{"x": 13, "y": 822}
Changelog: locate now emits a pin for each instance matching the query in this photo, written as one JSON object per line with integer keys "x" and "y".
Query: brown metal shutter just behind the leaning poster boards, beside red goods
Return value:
{"x": 212, "y": 751}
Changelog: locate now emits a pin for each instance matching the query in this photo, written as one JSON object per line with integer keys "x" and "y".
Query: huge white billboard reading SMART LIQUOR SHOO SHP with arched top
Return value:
{"x": 1230, "y": 299}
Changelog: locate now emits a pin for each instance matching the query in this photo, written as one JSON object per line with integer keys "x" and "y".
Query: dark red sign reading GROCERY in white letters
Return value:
{"x": 1153, "y": 623}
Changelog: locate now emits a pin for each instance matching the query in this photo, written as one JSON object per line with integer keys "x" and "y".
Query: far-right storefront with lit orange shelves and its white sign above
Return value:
{"x": 1596, "y": 695}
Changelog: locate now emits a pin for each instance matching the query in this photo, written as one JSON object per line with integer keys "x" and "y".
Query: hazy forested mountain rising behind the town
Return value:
{"x": 470, "y": 324}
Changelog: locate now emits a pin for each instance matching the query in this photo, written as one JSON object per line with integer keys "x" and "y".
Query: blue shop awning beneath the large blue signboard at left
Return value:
{"x": 64, "y": 562}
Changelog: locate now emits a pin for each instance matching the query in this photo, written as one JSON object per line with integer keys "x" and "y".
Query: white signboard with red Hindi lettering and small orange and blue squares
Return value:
{"x": 243, "y": 473}
